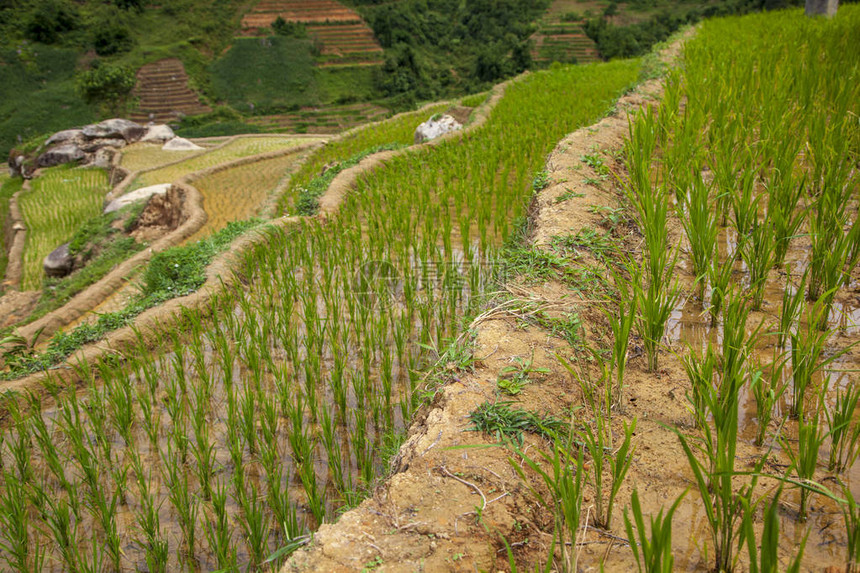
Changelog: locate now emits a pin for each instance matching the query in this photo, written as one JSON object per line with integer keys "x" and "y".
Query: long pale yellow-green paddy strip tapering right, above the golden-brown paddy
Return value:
{"x": 244, "y": 147}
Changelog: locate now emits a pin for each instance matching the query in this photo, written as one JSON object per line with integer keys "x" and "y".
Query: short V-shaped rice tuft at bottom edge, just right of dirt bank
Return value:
{"x": 651, "y": 549}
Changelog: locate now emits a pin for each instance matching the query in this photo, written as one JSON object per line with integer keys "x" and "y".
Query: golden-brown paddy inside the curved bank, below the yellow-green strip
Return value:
{"x": 237, "y": 194}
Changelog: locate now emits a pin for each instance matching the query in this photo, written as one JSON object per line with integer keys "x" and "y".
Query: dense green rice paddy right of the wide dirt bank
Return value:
{"x": 754, "y": 150}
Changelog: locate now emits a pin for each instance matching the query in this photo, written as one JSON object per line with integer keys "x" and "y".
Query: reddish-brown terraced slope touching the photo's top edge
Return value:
{"x": 344, "y": 38}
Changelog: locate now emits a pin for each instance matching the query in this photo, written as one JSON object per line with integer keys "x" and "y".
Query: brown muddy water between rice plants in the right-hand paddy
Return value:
{"x": 690, "y": 330}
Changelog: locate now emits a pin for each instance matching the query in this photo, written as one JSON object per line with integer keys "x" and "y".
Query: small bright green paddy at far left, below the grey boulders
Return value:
{"x": 60, "y": 200}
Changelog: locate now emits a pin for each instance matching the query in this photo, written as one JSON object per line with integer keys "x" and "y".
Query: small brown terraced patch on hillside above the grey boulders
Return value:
{"x": 163, "y": 93}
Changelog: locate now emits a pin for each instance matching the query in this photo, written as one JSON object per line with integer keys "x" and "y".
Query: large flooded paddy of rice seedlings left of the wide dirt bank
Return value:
{"x": 258, "y": 424}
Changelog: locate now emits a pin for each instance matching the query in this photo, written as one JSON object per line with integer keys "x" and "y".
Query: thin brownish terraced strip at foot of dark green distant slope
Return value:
{"x": 327, "y": 120}
